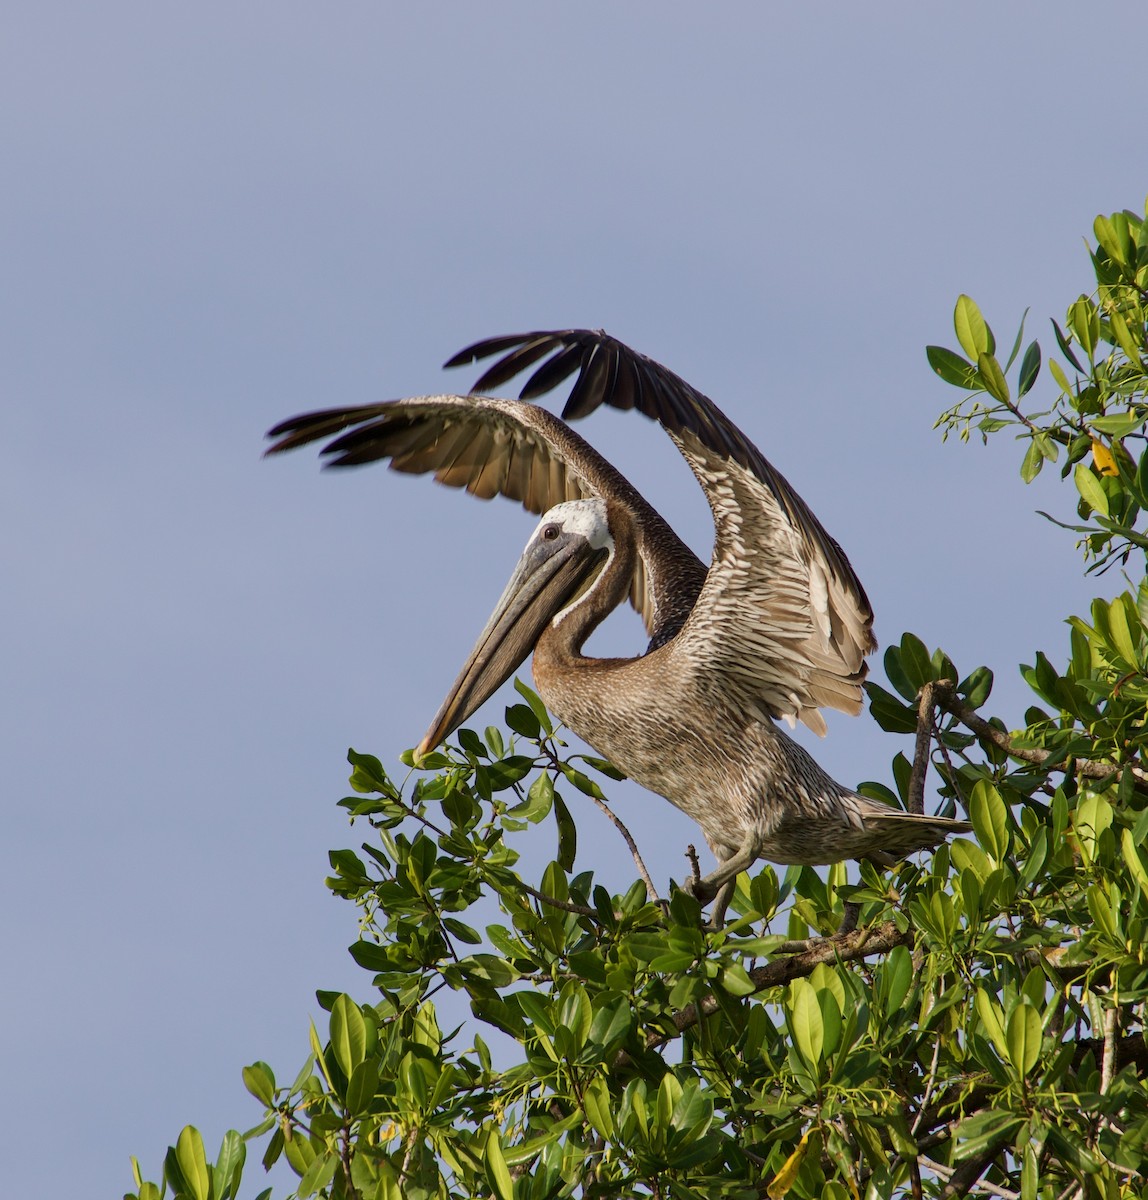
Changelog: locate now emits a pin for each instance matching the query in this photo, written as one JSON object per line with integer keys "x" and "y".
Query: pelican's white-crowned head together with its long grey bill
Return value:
{"x": 562, "y": 561}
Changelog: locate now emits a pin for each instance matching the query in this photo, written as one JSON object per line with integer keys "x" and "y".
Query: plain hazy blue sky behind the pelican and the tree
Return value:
{"x": 217, "y": 217}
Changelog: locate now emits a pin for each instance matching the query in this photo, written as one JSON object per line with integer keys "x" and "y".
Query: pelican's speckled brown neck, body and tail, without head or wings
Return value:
{"x": 675, "y": 725}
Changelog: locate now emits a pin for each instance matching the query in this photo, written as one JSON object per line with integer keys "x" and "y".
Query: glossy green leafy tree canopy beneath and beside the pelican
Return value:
{"x": 979, "y": 1031}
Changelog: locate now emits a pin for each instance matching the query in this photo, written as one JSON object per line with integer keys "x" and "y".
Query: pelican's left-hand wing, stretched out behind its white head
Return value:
{"x": 514, "y": 449}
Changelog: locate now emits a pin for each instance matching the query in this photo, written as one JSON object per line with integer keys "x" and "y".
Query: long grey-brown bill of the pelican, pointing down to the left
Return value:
{"x": 549, "y": 577}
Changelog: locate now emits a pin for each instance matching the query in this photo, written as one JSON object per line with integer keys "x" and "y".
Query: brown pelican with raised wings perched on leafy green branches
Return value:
{"x": 777, "y": 628}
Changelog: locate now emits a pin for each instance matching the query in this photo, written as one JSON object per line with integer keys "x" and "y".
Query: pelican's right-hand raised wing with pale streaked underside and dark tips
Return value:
{"x": 779, "y": 584}
